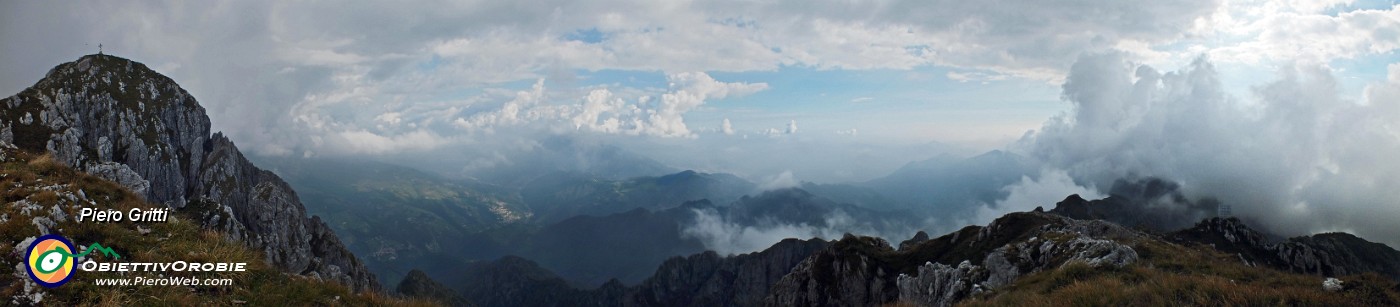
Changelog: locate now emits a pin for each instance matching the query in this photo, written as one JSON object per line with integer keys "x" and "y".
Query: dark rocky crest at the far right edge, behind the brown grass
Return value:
{"x": 1329, "y": 254}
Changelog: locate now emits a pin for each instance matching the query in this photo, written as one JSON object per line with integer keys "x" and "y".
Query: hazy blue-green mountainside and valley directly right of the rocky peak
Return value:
{"x": 398, "y": 219}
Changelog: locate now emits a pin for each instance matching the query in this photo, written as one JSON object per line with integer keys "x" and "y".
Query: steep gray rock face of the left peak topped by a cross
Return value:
{"x": 125, "y": 123}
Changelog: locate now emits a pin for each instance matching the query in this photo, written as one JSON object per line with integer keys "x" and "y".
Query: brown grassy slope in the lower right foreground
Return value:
{"x": 1177, "y": 275}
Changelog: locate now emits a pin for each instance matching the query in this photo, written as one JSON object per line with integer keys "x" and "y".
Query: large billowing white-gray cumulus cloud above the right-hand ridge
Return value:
{"x": 1296, "y": 155}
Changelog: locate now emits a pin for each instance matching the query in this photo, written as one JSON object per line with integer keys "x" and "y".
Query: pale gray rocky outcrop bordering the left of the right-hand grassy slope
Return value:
{"x": 863, "y": 271}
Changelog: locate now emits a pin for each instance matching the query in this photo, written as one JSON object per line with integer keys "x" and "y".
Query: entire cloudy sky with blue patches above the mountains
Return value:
{"x": 1289, "y": 106}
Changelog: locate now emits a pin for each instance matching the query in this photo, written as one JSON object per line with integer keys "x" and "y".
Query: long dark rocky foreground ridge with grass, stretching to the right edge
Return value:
{"x": 1024, "y": 257}
